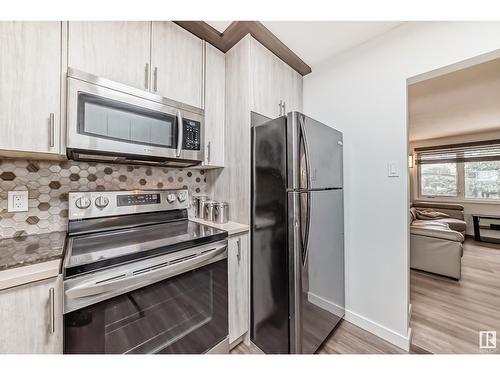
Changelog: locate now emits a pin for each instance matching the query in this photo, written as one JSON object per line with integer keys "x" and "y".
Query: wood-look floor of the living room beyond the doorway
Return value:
{"x": 447, "y": 315}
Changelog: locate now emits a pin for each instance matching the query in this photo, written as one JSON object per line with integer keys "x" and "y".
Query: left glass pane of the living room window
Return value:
{"x": 439, "y": 179}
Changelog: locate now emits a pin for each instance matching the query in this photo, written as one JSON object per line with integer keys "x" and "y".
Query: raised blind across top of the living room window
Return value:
{"x": 457, "y": 153}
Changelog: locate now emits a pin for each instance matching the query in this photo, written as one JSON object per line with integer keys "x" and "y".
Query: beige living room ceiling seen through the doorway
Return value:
{"x": 462, "y": 102}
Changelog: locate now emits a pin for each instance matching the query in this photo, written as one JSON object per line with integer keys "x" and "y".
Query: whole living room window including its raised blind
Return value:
{"x": 464, "y": 171}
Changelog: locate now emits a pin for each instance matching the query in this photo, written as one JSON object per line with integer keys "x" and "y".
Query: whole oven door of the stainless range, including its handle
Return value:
{"x": 168, "y": 304}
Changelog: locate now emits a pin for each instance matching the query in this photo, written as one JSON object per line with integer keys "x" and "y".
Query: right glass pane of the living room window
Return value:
{"x": 482, "y": 180}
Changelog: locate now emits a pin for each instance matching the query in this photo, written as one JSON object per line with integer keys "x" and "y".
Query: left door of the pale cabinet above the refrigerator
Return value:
{"x": 266, "y": 80}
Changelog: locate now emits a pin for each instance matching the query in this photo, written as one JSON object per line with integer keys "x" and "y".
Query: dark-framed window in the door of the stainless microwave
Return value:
{"x": 110, "y": 119}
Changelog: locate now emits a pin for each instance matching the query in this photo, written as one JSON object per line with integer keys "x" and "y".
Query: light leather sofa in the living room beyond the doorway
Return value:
{"x": 434, "y": 246}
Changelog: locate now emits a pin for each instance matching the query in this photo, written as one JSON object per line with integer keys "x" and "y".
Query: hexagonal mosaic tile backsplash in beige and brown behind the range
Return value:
{"x": 48, "y": 184}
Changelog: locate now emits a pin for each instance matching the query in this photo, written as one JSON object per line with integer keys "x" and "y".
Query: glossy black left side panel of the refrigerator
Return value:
{"x": 269, "y": 292}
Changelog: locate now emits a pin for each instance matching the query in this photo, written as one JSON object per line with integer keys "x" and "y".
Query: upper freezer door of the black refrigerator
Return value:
{"x": 314, "y": 154}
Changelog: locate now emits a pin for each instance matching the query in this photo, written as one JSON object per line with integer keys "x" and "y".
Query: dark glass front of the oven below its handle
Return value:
{"x": 183, "y": 314}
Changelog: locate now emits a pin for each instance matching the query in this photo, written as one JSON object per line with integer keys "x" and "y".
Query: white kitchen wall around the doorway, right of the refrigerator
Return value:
{"x": 363, "y": 93}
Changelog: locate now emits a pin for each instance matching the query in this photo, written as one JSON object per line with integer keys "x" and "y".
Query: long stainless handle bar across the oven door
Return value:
{"x": 145, "y": 276}
